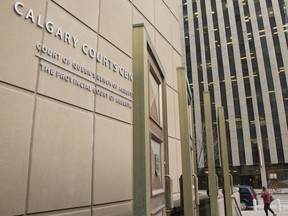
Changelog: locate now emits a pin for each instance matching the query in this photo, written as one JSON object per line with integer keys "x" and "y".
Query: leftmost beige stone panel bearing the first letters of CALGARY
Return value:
{"x": 18, "y": 62}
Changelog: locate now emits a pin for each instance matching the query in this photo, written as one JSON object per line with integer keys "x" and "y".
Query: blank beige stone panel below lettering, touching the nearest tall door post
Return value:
{"x": 113, "y": 161}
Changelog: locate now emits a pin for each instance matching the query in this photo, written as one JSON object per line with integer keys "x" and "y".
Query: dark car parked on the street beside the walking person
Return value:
{"x": 247, "y": 194}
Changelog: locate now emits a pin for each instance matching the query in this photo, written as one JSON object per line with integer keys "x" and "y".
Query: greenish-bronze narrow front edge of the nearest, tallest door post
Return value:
{"x": 141, "y": 150}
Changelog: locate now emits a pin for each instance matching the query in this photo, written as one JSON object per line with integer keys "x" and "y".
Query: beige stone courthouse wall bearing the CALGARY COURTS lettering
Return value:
{"x": 67, "y": 99}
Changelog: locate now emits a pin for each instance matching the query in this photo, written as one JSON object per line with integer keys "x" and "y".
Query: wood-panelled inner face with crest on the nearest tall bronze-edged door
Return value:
{"x": 156, "y": 139}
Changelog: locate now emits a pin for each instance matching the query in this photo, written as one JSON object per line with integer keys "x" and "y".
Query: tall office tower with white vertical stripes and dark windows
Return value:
{"x": 237, "y": 50}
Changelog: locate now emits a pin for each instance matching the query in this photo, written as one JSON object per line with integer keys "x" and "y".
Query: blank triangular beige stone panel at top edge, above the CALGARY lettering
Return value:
{"x": 87, "y": 11}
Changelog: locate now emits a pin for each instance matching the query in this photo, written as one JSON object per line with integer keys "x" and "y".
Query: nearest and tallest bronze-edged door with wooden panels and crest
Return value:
{"x": 149, "y": 128}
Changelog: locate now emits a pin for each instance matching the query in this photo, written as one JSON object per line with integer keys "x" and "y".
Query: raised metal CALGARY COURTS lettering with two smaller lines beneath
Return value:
{"x": 70, "y": 70}
